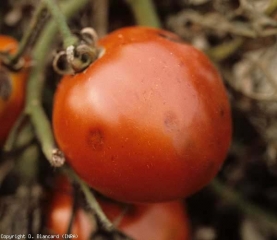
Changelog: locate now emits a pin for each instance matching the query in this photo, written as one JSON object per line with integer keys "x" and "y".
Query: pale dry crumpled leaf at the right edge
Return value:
{"x": 256, "y": 78}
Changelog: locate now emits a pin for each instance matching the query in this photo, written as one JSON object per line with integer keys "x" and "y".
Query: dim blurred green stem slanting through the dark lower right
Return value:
{"x": 231, "y": 196}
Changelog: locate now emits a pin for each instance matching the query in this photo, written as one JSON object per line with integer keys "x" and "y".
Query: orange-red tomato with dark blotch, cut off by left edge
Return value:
{"x": 12, "y": 90}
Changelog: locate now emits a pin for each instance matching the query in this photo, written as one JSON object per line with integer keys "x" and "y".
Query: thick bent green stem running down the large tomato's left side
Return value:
{"x": 36, "y": 80}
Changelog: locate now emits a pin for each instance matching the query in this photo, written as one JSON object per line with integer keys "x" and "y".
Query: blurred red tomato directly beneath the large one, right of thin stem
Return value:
{"x": 163, "y": 221}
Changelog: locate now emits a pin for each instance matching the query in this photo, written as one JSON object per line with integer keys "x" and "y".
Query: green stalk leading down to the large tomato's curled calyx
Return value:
{"x": 60, "y": 20}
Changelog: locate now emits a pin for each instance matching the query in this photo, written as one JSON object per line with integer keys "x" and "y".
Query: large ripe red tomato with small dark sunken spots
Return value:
{"x": 149, "y": 121}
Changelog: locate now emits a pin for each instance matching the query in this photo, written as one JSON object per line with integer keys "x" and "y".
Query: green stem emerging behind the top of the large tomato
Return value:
{"x": 145, "y": 13}
